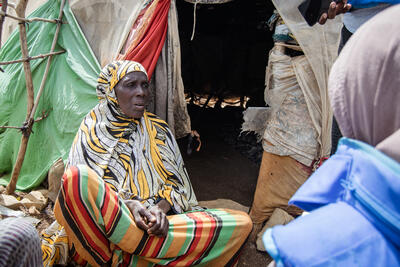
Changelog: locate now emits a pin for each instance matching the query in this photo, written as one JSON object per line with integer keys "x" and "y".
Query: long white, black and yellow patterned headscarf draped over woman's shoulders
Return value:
{"x": 136, "y": 157}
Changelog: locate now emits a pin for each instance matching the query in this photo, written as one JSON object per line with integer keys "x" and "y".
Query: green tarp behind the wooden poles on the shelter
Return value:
{"x": 68, "y": 96}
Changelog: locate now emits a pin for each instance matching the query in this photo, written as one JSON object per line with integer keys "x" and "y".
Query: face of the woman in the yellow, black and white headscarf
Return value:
{"x": 133, "y": 94}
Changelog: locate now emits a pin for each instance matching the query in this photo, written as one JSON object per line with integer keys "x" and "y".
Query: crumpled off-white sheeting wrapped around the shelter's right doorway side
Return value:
{"x": 290, "y": 130}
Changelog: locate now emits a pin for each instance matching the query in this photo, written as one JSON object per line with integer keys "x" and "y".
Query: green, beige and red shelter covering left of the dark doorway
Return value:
{"x": 70, "y": 89}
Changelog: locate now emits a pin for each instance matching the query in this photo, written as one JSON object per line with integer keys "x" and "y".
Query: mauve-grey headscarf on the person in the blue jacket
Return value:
{"x": 364, "y": 84}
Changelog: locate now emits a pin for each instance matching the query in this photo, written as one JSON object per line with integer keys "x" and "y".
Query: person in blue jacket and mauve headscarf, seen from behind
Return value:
{"x": 353, "y": 198}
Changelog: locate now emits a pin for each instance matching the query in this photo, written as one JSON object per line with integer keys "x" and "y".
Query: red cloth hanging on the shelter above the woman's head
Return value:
{"x": 149, "y": 47}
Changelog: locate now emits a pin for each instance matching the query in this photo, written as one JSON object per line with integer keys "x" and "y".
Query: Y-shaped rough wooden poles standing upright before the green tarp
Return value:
{"x": 27, "y": 127}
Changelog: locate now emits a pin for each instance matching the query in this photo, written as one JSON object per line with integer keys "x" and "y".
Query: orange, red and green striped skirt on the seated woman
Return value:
{"x": 101, "y": 229}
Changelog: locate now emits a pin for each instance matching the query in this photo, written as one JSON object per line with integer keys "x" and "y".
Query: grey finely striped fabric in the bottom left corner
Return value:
{"x": 19, "y": 243}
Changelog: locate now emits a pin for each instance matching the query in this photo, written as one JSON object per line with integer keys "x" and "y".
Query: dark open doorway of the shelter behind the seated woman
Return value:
{"x": 223, "y": 70}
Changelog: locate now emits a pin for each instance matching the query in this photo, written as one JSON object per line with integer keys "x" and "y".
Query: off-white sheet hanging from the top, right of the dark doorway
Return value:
{"x": 319, "y": 44}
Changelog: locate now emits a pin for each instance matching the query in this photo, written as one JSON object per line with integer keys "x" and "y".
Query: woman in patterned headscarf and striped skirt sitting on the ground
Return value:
{"x": 125, "y": 174}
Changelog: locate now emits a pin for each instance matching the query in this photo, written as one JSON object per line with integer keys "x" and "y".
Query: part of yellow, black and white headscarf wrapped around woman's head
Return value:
{"x": 110, "y": 75}
